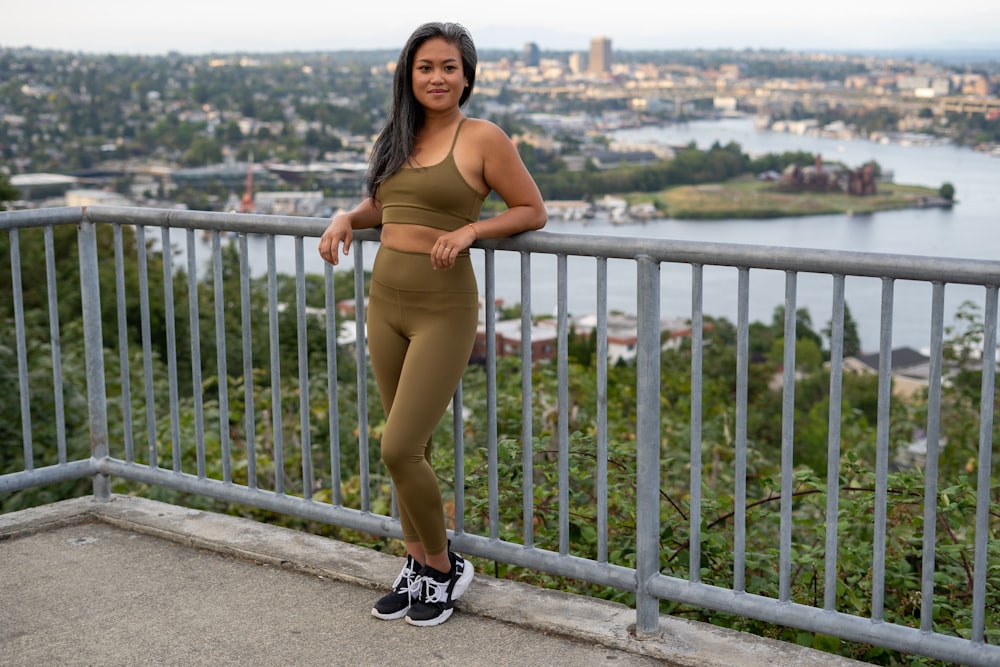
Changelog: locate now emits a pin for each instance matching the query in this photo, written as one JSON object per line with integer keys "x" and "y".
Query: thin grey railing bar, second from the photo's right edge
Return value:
{"x": 932, "y": 452}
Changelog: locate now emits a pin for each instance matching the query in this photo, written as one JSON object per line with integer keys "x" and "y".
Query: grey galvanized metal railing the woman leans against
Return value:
{"x": 116, "y": 452}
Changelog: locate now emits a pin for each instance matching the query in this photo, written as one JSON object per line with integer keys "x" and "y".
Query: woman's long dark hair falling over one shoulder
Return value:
{"x": 395, "y": 142}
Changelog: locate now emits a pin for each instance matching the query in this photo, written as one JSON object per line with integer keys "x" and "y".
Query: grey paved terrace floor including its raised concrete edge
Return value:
{"x": 136, "y": 582}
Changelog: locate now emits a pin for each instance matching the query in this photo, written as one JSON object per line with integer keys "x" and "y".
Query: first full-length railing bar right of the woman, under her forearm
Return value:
{"x": 492, "y": 463}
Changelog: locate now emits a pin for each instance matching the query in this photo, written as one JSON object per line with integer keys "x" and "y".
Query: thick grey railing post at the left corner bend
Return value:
{"x": 93, "y": 343}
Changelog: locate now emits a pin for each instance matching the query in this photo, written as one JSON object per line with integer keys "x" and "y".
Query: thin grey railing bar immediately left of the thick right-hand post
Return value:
{"x": 602, "y": 410}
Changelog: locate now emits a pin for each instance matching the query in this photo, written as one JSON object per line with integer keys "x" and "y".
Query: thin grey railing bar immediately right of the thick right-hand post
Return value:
{"x": 697, "y": 352}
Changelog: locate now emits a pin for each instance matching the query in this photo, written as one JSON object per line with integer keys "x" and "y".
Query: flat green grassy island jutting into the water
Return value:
{"x": 747, "y": 197}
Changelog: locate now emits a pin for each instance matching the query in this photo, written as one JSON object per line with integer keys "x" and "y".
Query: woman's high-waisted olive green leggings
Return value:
{"x": 421, "y": 329}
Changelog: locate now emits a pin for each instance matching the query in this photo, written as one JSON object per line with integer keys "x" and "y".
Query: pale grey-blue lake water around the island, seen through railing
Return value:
{"x": 971, "y": 229}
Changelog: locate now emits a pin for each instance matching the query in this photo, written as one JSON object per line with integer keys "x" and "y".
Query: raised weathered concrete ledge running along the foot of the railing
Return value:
{"x": 680, "y": 643}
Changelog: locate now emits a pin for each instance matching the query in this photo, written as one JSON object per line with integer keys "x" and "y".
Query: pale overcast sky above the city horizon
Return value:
{"x": 213, "y": 26}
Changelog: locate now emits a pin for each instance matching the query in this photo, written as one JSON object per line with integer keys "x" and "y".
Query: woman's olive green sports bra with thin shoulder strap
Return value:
{"x": 435, "y": 196}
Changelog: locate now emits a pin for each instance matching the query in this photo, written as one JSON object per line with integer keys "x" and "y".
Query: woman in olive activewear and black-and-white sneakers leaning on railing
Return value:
{"x": 430, "y": 171}
